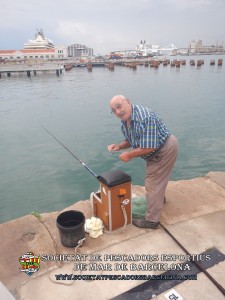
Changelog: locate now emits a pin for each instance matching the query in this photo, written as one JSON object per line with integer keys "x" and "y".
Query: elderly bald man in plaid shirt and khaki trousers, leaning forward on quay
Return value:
{"x": 151, "y": 140}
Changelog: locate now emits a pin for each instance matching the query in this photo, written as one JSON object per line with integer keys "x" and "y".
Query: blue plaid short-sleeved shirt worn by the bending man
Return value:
{"x": 146, "y": 130}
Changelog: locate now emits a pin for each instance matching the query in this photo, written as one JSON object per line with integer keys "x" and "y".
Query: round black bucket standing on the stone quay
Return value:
{"x": 71, "y": 227}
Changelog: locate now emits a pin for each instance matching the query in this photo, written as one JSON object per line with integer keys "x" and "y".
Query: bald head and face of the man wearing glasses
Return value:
{"x": 121, "y": 107}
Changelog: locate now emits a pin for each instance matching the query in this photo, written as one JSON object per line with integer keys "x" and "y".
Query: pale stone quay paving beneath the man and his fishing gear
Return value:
{"x": 194, "y": 214}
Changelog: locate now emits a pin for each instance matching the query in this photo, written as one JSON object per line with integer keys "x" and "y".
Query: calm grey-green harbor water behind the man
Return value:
{"x": 37, "y": 174}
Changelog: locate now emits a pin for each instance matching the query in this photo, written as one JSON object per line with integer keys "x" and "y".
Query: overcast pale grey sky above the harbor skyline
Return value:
{"x": 108, "y": 25}
